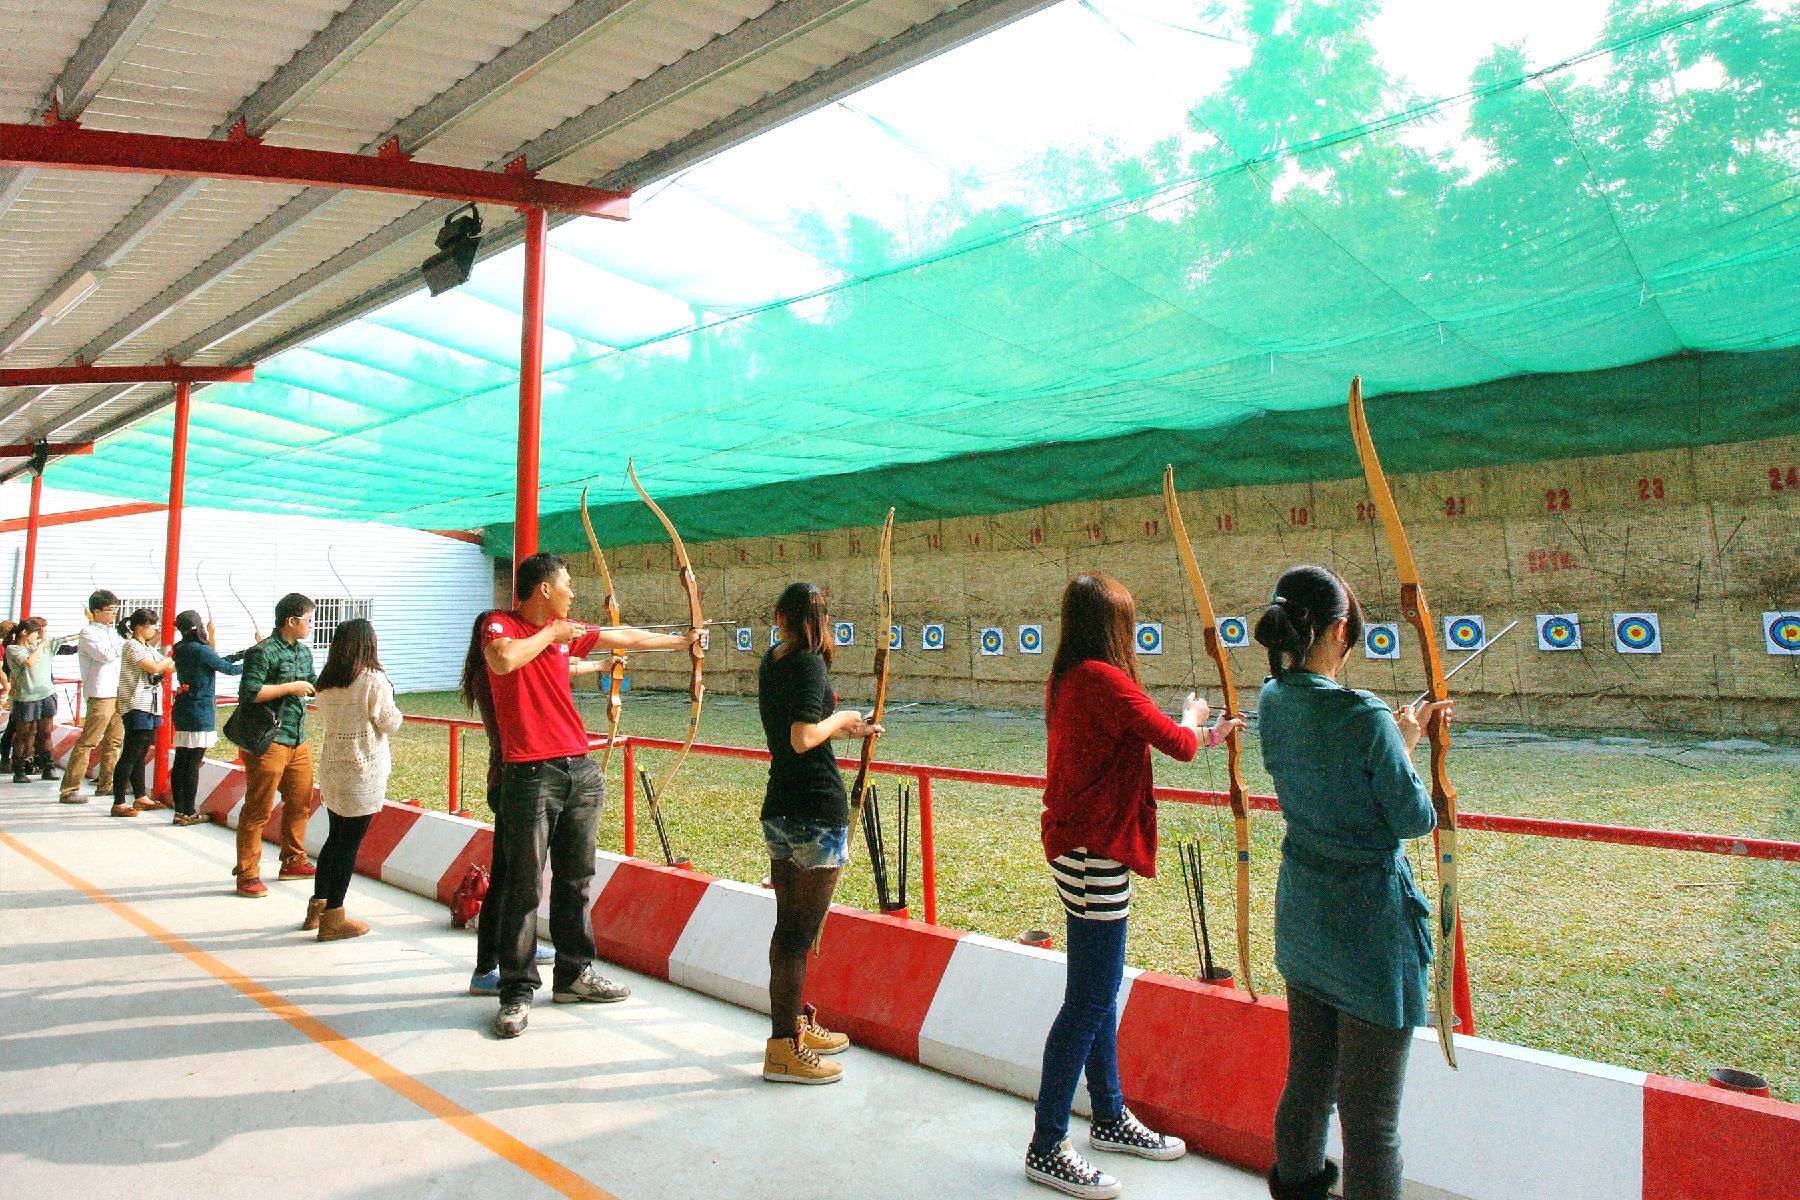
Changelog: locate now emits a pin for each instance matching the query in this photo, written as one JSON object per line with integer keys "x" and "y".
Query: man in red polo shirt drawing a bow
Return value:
{"x": 550, "y": 791}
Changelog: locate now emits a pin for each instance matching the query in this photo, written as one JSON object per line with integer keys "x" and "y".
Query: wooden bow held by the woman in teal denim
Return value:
{"x": 1417, "y": 613}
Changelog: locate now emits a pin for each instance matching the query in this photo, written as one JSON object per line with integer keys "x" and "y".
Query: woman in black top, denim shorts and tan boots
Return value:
{"x": 805, "y": 825}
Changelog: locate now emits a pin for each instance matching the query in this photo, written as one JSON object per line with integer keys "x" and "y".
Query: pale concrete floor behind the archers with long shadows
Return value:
{"x": 134, "y": 1068}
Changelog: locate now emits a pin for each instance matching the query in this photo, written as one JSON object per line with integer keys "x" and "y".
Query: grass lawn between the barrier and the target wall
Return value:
{"x": 1653, "y": 960}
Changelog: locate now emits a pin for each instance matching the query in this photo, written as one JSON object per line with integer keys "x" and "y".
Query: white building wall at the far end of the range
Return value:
{"x": 422, "y": 591}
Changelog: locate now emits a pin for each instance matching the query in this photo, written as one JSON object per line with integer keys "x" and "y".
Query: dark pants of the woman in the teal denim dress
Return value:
{"x": 1335, "y": 1059}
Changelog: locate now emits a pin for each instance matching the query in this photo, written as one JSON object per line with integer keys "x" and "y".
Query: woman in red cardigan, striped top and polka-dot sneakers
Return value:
{"x": 1101, "y": 828}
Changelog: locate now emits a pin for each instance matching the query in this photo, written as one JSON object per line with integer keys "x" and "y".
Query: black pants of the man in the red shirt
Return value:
{"x": 548, "y": 809}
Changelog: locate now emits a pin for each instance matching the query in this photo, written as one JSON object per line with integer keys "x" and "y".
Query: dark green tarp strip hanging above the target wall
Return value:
{"x": 1686, "y": 400}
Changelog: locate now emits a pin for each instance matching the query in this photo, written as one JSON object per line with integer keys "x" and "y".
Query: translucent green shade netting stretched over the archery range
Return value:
{"x": 1110, "y": 224}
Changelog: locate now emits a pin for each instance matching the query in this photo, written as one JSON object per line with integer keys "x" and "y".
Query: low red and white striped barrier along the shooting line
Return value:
{"x": 1200, "y": 1062}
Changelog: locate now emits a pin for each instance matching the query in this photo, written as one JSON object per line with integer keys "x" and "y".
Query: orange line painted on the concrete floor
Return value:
{"x": 535, "y": 1163}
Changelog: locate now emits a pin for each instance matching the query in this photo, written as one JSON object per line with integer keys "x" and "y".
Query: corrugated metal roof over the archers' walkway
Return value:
{"x": 134, "y": 269}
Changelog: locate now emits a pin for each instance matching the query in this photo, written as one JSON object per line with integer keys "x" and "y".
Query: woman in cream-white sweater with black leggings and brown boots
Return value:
{"x": 357, "y": 706}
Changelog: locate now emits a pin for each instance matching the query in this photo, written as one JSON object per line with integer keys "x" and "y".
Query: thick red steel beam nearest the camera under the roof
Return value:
{"x": 66, "y": 147}
